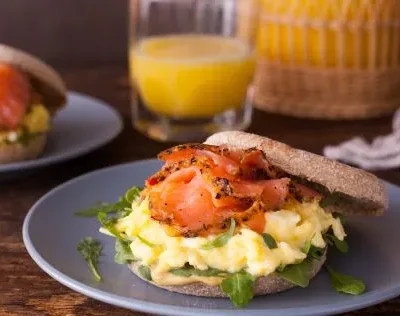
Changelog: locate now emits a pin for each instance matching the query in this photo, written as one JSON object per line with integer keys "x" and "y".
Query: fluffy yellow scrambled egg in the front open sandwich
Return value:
{"x": 293, "y": 228}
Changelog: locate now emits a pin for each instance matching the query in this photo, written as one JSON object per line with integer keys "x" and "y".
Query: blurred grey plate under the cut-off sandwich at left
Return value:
{"x": 83, "y": 125}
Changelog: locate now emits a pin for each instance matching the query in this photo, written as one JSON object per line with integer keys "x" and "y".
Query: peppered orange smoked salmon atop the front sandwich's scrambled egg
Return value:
{"x": 201, "y": 187}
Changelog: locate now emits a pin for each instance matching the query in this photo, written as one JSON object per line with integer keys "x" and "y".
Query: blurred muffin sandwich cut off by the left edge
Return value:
{"x": 31, "y": 92}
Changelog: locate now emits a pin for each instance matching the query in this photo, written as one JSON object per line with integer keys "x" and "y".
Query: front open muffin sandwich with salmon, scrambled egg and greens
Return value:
{"x": 240, "y": 215}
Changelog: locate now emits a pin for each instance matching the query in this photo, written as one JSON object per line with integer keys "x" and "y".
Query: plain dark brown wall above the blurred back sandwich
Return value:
{"x": 95, "y": 30}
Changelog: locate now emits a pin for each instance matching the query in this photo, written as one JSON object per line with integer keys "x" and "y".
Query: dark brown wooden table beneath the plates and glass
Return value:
{"x": 26, "y": 290}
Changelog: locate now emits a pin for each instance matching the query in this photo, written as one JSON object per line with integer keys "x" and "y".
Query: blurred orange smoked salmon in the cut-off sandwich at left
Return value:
{"x": 15, "y": 94}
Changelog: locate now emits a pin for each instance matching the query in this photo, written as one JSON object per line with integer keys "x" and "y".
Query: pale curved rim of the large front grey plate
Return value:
{"x": 366, "y": 300}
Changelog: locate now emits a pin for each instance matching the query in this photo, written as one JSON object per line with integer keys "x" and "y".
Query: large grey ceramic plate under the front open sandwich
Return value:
{"x": 51, "y": 233}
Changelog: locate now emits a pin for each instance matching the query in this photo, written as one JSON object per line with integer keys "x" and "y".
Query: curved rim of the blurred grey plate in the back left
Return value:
{"x": 57, "y": 158}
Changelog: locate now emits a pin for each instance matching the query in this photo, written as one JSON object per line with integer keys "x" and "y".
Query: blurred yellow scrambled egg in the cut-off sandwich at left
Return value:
{"x": 36, "y": 121}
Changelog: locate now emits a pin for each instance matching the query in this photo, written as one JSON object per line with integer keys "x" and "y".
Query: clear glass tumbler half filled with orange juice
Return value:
{"x": 190, "y": 65}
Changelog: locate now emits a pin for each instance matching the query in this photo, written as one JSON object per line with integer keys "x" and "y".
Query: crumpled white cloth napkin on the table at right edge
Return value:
{"x": 382, "y": 153}
